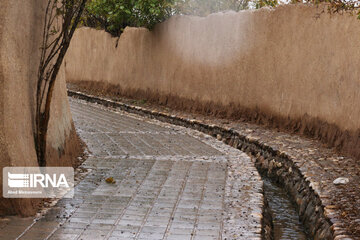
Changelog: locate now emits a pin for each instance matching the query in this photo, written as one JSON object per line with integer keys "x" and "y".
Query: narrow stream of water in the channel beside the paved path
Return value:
{"x": 287, "y": 225}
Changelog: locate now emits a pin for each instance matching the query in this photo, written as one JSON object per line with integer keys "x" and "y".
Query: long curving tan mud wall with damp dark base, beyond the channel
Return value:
{"x": 292, "y": 67}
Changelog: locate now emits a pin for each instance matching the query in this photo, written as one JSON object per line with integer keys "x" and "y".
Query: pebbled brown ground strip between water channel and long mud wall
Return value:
{"x": 319, "y": 165}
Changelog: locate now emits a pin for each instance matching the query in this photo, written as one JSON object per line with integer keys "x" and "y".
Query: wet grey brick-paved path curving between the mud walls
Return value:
{"x": 171, "y": 183}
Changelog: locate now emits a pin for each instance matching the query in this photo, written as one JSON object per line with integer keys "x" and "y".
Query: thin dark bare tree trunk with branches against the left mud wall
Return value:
{"x": 52, "y": 54}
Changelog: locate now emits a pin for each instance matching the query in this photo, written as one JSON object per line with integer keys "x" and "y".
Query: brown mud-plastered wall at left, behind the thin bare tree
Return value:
{"x": 20, "y": 38}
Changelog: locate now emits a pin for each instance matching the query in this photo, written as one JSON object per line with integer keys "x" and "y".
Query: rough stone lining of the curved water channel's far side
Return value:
{"x": 270, "y": 162}
